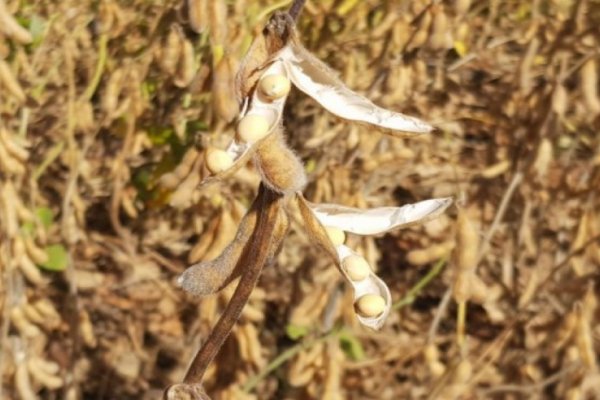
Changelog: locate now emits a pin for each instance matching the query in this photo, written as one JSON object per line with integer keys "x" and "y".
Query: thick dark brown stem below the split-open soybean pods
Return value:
{"x": 255, "y": 256}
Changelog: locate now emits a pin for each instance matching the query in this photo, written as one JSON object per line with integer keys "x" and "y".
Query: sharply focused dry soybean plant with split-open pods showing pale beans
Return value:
{"x": 275, "y": 62}
